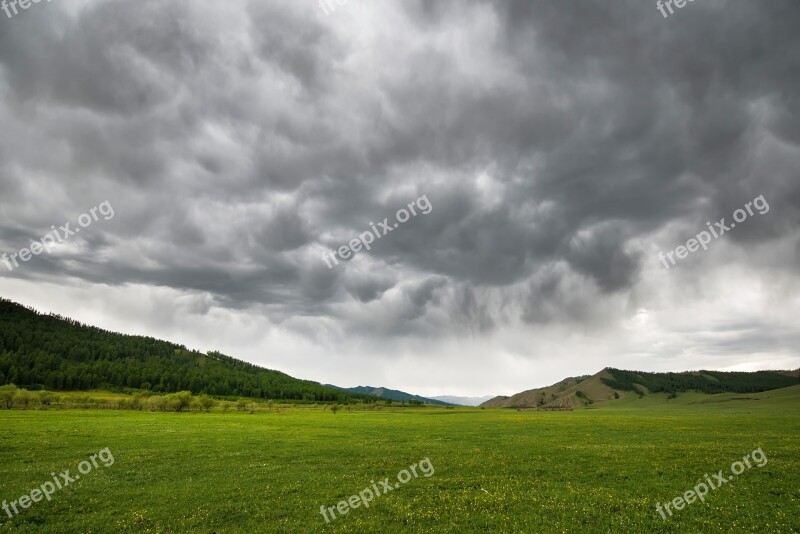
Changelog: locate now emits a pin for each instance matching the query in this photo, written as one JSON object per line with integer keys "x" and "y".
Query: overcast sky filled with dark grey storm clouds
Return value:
{"x": 561, "y": 146}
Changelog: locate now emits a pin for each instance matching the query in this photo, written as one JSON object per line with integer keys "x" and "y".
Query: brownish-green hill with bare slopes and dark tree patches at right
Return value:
{"x": 611, "y": 384}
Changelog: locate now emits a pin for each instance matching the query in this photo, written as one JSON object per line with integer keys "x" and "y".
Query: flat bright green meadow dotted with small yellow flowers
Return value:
{"x": 495, "y": 470}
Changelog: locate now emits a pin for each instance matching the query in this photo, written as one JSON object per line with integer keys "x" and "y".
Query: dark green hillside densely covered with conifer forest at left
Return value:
{"x": 52, "y": 352}
